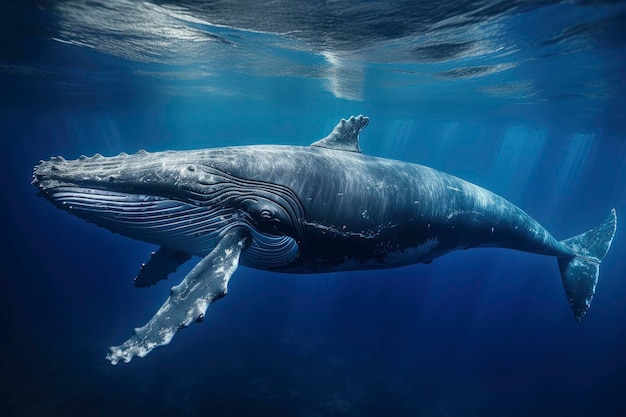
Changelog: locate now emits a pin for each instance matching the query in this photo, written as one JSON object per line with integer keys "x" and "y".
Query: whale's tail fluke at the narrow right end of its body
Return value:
{"x": 580, "y": 273}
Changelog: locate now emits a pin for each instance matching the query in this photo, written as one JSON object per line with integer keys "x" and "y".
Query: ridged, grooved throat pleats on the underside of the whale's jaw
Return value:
{"x": 174, "y": 224}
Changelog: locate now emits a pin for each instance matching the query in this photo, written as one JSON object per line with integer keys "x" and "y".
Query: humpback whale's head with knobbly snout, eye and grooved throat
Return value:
{"x": 182, "y": 200}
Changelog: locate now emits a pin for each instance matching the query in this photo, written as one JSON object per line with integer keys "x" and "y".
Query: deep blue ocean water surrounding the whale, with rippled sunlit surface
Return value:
{"x": 525, "y": 98}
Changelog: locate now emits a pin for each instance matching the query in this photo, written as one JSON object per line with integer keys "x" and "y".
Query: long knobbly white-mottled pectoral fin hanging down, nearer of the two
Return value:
{"x": 188, "y": 301}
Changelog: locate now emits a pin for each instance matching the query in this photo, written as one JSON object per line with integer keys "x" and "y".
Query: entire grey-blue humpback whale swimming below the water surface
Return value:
{"x": 295, "y": 209}
